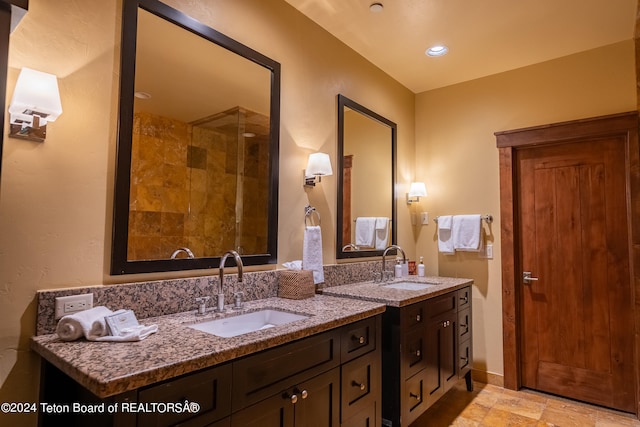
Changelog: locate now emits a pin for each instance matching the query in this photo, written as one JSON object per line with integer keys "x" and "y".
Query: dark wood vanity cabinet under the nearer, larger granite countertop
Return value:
{"x": 329, "y": 379}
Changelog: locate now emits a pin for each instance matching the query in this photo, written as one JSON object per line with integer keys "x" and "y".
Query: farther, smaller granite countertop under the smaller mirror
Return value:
{"x": 380, "y": 292}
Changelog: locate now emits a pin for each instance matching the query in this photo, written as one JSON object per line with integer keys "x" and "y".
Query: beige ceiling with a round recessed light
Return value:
{"x": 484, "y": 36}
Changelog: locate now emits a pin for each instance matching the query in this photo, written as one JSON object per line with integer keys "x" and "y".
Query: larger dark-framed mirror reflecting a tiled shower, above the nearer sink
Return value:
{"x": 198, "y": 146}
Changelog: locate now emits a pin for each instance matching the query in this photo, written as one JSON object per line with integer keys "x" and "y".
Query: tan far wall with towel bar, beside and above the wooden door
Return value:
{"x": 457, "y": 156}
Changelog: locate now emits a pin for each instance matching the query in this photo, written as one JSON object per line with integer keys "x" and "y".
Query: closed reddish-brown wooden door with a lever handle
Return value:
{"x": 577, "y": 317}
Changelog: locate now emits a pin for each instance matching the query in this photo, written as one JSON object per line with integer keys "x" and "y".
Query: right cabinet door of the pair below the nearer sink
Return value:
{"x": 319, "y": 401}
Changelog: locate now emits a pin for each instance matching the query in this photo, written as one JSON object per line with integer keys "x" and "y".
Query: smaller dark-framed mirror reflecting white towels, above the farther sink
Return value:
{"x": 367, "y": 221}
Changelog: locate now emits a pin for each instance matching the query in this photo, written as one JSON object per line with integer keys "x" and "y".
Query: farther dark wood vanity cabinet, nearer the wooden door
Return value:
{"x": 426, "y": 350}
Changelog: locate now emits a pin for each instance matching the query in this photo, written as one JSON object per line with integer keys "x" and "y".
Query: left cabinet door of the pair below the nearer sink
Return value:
{"x": 276, "y": 411}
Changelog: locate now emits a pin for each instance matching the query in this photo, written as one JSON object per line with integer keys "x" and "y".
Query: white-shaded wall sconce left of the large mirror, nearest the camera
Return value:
{"x": 35, "y": 102}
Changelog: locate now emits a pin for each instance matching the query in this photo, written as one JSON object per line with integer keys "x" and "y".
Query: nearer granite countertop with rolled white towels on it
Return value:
{"x": 110, "y": 368}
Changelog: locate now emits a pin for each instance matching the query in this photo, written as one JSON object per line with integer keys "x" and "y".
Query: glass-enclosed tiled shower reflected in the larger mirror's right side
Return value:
{"x": 237, "y": 146}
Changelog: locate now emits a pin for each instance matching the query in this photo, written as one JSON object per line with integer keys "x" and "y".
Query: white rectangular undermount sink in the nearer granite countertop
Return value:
{"x": 232, "y": 326}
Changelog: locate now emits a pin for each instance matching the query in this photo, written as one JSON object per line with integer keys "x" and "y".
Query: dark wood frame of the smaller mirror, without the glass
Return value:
{"x": 344, "y": 102}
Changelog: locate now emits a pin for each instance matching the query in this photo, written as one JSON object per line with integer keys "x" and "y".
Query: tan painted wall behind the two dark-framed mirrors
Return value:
{"x": 56, "y": 197}
